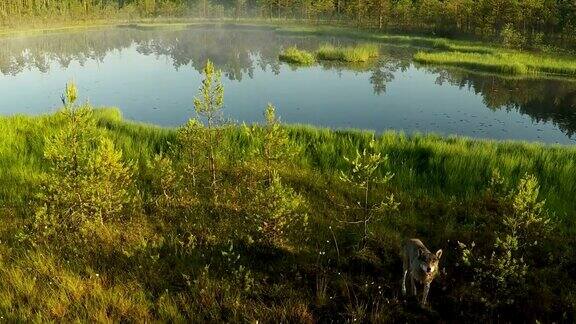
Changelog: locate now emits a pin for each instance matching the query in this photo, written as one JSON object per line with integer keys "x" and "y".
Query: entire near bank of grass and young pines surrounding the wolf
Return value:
{"x": 112, "y": 220}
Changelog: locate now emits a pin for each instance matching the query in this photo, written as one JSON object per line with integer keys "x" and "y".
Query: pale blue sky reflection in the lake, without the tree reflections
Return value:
{"x": 149, "y": 89}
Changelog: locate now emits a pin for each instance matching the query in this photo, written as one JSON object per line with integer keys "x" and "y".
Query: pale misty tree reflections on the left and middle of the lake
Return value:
{"x": 238, "y": 52}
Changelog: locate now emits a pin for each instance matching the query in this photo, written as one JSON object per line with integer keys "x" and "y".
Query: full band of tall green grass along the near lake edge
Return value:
{"x": 425, "y": 164}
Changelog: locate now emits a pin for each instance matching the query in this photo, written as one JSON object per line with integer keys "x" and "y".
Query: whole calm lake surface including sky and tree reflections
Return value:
{"x": 153, "y": 75}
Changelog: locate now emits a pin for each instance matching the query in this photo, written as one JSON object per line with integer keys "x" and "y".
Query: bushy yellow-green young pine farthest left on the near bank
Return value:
{"x": 87, "y": 182}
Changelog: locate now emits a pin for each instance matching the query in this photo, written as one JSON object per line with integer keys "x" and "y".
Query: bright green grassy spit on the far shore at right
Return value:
{"x": 512, "y": 63}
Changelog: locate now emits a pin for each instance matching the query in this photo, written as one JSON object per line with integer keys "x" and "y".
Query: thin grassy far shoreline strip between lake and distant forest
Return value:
{"x": 472, "y": 56}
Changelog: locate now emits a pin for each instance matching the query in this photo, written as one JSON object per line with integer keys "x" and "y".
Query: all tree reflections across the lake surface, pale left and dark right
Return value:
{"x": 239, "y": 52}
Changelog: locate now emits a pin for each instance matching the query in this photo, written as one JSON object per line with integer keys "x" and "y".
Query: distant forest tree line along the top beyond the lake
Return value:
{"x": 477, "y": 17}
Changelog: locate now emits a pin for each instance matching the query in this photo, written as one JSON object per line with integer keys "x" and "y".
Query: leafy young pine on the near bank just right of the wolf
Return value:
{"x": 500, "y": 269}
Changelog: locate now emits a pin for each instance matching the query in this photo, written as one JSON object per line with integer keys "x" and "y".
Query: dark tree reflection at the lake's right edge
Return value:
{"x": 543, "y": 100}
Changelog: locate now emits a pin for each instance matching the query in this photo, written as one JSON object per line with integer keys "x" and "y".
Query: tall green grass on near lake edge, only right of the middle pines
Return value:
{"x": 432, "y": 165}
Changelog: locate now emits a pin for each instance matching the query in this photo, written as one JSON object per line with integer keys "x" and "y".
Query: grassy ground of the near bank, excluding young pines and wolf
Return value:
{"x": 183, "y": 258}
